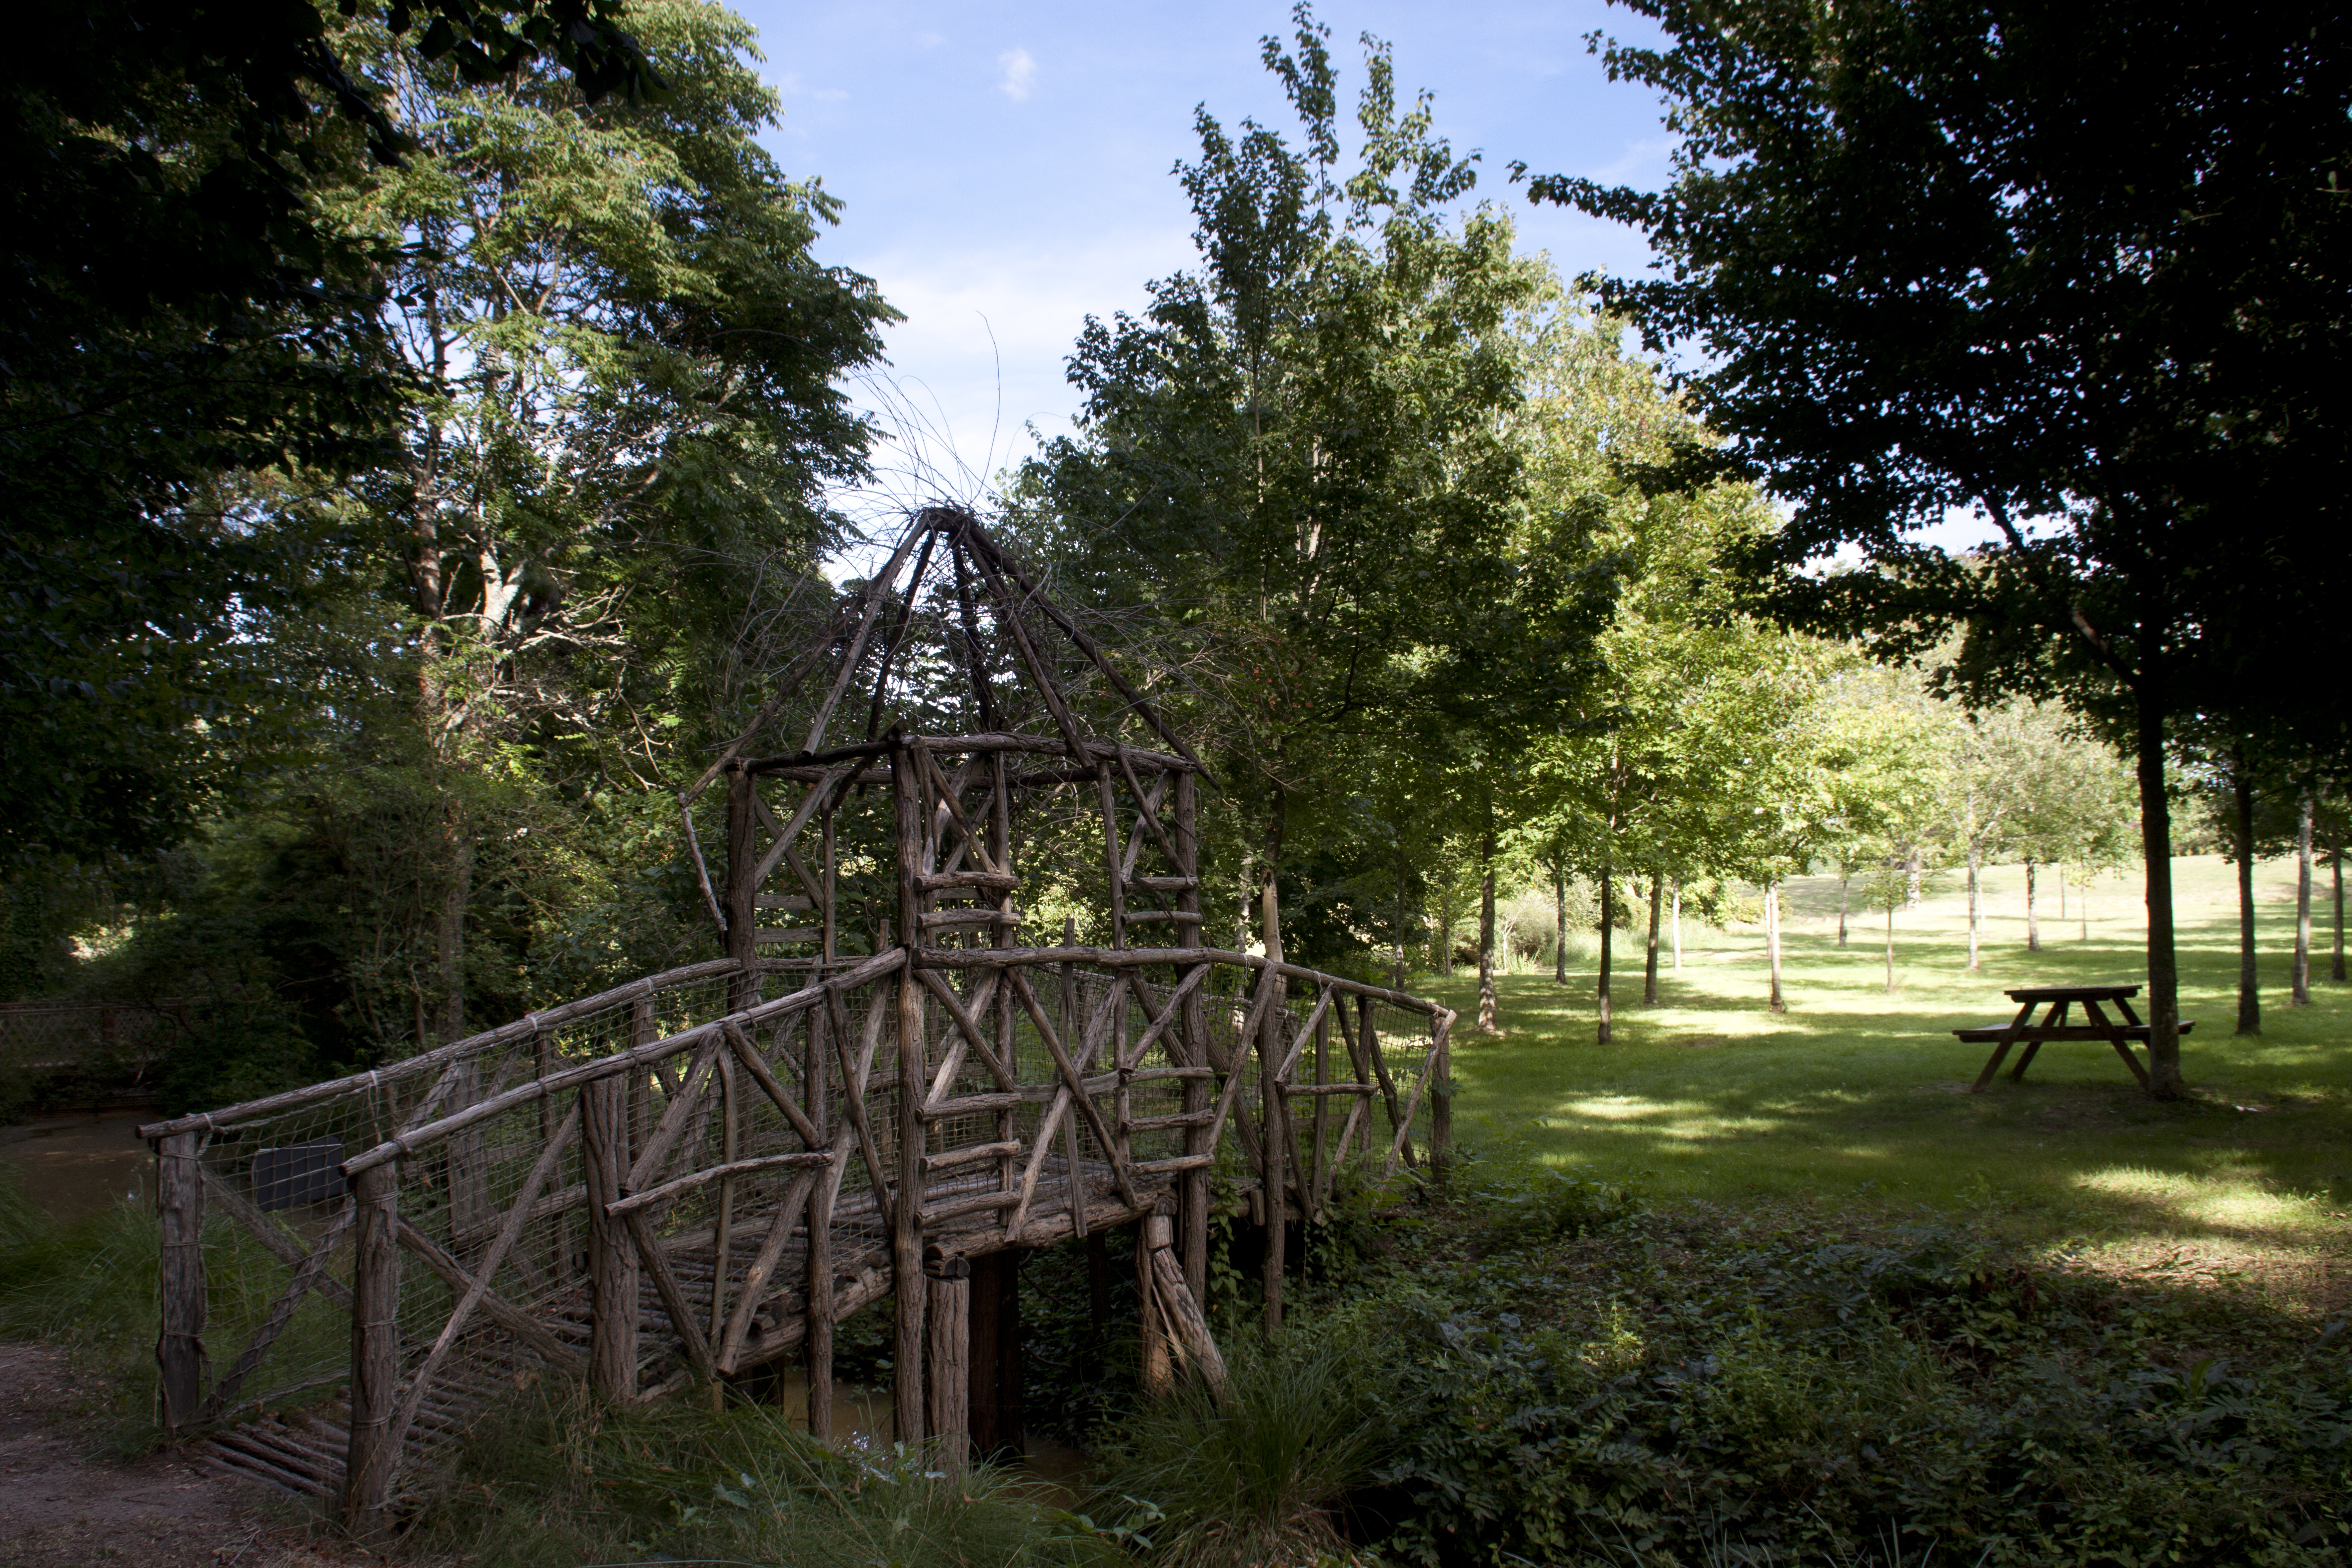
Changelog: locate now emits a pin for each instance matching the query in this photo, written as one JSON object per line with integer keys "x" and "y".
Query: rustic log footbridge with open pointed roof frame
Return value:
{"x": 697, "y": 1177}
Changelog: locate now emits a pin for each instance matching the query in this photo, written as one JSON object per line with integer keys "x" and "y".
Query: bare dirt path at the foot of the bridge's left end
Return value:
{"x": 62, "y": 1508}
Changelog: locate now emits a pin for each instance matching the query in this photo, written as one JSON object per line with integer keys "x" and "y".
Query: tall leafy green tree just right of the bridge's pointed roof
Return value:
{"x": 1297, "y": 462}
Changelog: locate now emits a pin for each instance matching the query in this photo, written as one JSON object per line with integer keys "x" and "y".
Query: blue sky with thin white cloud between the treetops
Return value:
{"x": 1005, "y": 168}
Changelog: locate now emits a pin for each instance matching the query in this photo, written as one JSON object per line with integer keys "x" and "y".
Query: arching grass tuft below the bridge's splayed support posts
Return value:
{"x": 1257, "y": 1477}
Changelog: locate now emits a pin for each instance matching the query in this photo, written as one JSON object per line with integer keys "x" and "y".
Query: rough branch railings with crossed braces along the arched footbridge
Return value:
{"x": 686, "y": 1179}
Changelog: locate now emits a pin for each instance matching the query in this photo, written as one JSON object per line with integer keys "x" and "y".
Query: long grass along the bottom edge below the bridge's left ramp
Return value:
{"x": 556, "y": 1480}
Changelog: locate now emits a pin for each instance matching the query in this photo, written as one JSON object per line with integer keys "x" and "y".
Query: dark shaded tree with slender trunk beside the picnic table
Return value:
{"x": 2078, "y": 269}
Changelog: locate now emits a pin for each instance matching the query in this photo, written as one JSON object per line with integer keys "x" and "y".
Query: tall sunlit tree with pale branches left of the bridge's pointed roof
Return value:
{"x": 629, "y": 406}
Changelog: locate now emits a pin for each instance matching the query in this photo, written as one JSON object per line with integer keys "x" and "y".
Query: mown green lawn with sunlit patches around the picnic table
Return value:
{"x": 1859, "y": 1097}
